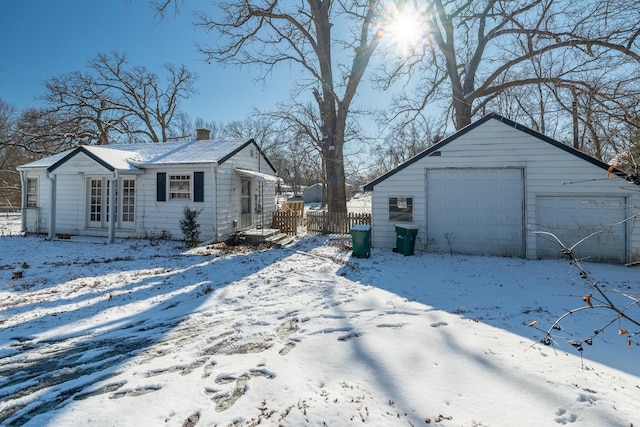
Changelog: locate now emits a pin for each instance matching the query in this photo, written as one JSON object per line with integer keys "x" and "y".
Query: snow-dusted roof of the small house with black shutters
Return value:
{"x": 132, "y": 157}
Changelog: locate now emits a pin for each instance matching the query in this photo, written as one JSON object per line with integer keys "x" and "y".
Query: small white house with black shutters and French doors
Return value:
{"x": 231, "y": 182}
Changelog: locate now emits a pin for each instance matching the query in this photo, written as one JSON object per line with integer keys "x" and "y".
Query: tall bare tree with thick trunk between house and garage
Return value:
{"x": 300, "y": 34}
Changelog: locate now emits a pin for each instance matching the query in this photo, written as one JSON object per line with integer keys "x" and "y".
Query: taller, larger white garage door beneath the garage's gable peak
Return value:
{"x": 475, "y": 211}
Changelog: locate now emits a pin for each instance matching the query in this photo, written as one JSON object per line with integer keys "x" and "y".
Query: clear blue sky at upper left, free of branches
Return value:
{"x": 43, "y": 38}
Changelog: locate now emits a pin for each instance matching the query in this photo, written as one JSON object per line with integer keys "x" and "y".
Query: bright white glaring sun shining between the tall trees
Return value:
{"x": 404, "y": 28}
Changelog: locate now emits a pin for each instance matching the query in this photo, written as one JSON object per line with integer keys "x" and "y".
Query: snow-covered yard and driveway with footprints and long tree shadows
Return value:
{"x": 146, "y": 333}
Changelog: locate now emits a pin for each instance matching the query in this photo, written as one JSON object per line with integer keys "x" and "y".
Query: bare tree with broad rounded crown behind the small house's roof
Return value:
{"x": 113, "y": 99}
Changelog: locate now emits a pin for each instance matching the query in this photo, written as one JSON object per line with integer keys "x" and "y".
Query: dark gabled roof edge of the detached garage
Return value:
{"x": 493, "y": 116}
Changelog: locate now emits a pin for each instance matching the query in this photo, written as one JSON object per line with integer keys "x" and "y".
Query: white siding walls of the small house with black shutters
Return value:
{"x": 152, "y": 218}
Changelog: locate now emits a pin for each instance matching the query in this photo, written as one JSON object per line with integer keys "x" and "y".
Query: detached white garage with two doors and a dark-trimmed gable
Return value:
{"x": 487, "y": 188}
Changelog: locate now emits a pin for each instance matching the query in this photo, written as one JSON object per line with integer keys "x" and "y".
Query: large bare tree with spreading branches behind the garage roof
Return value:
{"x": 476, "y": 51}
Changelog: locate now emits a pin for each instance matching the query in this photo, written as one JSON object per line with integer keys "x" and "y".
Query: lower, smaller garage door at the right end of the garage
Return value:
{"x": 573, "y": 218}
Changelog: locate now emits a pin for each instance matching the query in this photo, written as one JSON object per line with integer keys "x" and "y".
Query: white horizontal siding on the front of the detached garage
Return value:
{"x": 548, "y": 171}
